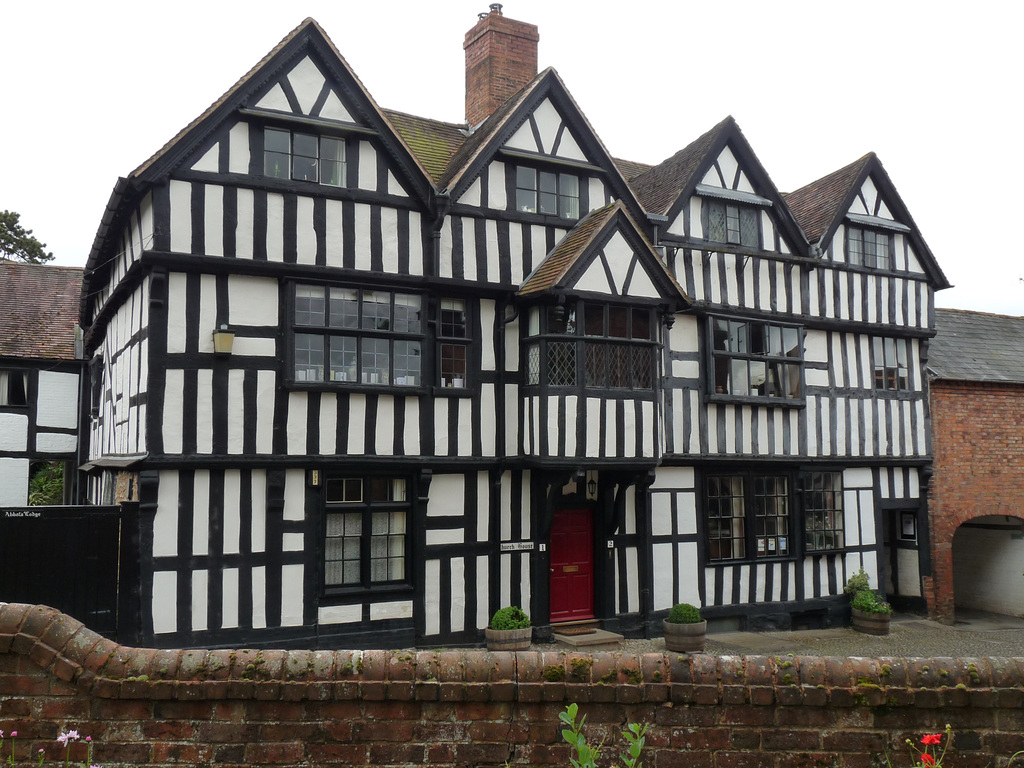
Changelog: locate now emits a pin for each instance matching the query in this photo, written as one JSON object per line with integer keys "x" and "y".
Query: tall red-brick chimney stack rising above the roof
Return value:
{"x": 501, "y": 59}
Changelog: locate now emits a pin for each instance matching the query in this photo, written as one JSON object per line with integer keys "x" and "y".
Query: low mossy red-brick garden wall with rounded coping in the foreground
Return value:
{"x": 471, "y": 708}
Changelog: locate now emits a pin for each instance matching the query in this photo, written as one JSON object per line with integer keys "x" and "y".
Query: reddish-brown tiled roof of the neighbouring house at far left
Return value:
{"x": 38, "y": 310}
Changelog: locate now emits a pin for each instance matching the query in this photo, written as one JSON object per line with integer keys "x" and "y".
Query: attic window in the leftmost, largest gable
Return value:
{"x": 304, "y": 157}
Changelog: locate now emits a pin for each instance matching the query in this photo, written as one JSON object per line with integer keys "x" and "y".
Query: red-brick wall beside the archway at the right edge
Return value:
{"x": 978, "y": 445}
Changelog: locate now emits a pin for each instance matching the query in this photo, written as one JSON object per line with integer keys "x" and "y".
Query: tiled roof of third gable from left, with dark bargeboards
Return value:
{"x": 666, "y": 188}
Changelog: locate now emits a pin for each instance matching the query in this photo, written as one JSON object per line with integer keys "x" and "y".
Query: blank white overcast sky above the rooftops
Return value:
{"x": 934, "y": 89}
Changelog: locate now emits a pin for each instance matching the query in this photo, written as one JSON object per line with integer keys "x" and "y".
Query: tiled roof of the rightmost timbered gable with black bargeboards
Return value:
{"x": 822, "y": 206}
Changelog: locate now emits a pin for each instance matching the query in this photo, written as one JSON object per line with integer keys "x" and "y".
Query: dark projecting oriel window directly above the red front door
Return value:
{"x": 575, "y": 340}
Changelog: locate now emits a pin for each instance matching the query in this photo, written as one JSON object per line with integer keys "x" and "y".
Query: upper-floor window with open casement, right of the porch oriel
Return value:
{"x": 752, "y": 359}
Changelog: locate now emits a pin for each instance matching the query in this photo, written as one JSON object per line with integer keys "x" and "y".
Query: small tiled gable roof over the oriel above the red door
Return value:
{"x": 558, "y": 269}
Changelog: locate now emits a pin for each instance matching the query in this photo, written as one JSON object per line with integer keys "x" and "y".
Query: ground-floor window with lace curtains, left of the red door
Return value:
{"x": 367, "y": 532}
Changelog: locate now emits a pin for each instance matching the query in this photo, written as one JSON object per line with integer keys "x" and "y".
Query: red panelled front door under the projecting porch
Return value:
{"x": 572, "y": 566}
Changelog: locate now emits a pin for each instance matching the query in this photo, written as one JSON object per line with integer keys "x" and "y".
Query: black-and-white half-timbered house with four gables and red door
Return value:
{"x": 372, "y": 376}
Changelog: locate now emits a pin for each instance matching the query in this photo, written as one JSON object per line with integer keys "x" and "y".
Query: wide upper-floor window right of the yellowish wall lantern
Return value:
{"x": 357, "y": 336}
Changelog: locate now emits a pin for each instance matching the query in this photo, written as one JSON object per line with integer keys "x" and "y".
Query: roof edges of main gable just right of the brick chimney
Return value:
{"x": 488, "y": 138}
